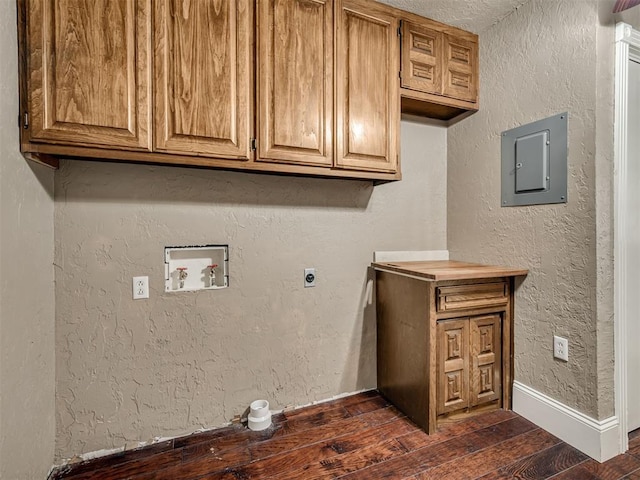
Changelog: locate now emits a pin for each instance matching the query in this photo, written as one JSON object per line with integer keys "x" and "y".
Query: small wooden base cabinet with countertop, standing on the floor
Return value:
{"x": 444, "y": 338}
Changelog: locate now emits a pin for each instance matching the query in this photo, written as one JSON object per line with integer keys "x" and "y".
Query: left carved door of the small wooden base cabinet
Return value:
{"x": 453, "y": 365}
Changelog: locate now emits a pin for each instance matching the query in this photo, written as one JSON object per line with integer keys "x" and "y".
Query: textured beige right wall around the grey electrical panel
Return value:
{"x": 545, "y": 58}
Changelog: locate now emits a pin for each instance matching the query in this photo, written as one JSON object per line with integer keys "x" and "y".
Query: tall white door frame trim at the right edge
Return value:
{"x": 627, "y": 48}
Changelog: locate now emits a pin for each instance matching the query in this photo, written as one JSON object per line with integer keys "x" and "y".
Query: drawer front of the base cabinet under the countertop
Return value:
{"x": 463, "y": 297}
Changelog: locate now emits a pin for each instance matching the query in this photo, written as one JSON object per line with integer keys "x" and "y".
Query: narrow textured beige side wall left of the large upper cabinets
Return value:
{"x": 27, "y": 389}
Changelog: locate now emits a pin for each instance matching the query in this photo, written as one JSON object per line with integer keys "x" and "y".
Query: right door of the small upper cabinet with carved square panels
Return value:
{"x": 461, "y": 68}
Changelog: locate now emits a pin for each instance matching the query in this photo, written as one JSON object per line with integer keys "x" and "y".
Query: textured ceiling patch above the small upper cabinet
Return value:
{"x": 473, "y": 15}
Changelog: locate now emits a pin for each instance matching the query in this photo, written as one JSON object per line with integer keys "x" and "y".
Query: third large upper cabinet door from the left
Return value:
{"x": 295, "y": 81}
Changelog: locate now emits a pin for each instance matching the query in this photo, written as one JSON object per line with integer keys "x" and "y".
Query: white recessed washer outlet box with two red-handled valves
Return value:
{"x": 196, "y": 268}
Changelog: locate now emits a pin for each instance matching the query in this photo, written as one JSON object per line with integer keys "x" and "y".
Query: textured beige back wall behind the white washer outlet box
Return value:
{"x": 131, "y": 370}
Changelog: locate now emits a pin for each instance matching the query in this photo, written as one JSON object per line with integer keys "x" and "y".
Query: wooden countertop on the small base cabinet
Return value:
{"x": 441, "y": 270}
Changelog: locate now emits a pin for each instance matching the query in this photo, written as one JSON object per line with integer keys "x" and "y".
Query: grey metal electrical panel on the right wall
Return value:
{"x": 534, "y": 163}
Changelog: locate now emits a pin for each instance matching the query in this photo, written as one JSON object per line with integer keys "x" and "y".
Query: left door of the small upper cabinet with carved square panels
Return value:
{"x": 421, "y": 58}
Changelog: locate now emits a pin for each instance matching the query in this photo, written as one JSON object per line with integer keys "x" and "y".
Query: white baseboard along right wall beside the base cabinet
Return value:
{"x": 600, "y": 439}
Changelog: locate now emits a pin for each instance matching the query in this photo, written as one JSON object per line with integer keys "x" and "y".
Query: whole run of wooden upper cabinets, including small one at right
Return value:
{"x": 302, "y": 87}
